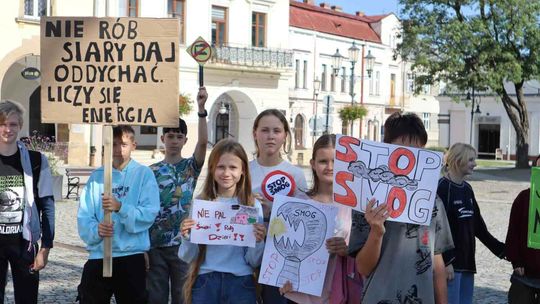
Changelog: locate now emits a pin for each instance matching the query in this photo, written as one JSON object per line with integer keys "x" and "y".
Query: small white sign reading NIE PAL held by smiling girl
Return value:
{"x": 220, "y": 223}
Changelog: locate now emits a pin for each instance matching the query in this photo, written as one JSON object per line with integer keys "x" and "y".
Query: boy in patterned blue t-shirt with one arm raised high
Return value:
{"x": 177, "y": 178}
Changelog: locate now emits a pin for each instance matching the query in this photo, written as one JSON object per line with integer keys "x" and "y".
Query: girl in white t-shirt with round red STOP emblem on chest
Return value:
{"x": 271, "y": 174}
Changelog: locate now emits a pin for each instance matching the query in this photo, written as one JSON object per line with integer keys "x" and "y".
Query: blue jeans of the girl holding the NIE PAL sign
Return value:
{"x": 225, "y": 288}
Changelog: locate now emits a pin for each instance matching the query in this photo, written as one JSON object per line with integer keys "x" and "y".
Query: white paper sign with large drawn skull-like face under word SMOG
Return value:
{"x": 294, "y": 249}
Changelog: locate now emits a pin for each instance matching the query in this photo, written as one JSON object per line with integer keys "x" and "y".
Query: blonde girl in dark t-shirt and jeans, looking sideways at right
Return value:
{"x": 466, "y": 223}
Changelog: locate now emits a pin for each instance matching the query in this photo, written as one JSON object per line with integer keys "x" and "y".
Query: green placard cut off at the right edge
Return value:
{"x": 533, "y": 235}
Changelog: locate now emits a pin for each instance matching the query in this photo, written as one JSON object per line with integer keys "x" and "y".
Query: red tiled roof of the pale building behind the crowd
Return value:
{"x": 311, "y": 17}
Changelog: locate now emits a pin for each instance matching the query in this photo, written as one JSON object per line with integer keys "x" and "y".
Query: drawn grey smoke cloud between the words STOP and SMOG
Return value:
{"x": 382, "y": 174}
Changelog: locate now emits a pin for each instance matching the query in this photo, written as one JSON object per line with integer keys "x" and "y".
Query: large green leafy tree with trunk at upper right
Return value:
{"x": 480, "y": 44}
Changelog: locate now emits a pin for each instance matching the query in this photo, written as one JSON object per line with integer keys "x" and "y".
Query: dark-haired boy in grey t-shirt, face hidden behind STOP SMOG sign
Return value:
{"x": 386, "y": 252}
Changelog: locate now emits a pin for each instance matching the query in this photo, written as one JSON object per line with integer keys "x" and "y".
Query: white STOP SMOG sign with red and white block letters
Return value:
{"x": 405, "y": 178}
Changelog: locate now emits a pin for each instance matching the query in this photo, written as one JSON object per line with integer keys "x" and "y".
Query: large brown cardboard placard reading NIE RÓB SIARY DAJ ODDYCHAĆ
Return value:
{"x": 109, "y": 70}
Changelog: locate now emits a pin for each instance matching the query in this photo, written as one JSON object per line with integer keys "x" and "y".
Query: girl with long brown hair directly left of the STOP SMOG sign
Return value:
{"x": 322, "y": 165}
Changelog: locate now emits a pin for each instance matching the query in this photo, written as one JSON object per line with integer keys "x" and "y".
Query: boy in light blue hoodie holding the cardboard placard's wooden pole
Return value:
{"x": 135, "y": 204}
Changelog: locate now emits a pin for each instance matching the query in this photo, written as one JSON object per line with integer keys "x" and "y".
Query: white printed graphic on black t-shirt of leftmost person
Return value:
{"x": 11, "y": 204}
